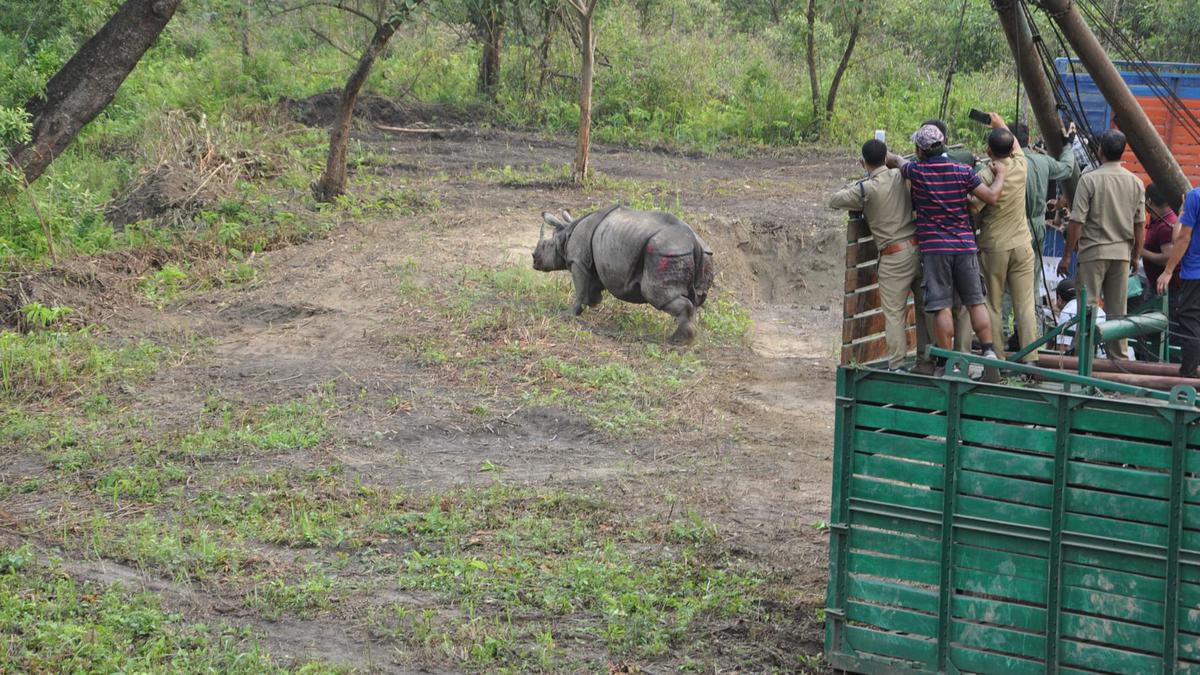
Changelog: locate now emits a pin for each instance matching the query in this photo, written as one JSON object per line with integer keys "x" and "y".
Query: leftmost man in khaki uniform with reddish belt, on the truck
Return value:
{"x": 887, "y": 205}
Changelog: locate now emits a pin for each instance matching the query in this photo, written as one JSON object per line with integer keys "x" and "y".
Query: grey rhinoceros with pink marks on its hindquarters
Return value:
{"x": 638, "y": 256}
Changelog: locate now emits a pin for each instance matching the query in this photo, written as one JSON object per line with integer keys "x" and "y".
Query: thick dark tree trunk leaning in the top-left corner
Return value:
{"x": 87, "y": 85}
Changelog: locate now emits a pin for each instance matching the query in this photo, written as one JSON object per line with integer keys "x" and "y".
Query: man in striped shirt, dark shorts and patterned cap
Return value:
{"x": 946, "y": 236}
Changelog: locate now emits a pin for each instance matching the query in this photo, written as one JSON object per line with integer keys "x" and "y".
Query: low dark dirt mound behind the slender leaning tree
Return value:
{"x": 321, "y": 109}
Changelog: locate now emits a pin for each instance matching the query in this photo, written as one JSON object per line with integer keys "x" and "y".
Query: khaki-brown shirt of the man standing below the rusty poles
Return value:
{"x": 1109, "y": 201}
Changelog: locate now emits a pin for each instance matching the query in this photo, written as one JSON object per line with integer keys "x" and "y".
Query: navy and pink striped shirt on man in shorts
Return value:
{"x": 940, "y": 192}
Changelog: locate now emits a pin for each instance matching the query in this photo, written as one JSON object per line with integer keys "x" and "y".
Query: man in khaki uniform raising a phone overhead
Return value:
{"x": 1006, "y": 247}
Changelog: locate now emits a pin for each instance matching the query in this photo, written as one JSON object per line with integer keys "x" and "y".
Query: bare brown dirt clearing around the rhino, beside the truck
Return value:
{"x": 754, "y": 462}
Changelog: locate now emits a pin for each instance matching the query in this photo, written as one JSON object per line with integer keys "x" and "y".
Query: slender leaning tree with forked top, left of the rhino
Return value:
{"x": 387, "y": 19}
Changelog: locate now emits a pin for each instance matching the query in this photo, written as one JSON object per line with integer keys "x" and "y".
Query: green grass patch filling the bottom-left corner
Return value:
{"x": 51, "y": 623}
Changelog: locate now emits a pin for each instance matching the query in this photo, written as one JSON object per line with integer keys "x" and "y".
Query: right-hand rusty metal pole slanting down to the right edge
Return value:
{"x": 1144, "y": 140}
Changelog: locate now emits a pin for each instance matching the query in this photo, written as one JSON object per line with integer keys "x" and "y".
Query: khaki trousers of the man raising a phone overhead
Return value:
{"x": 1012, "y": 270}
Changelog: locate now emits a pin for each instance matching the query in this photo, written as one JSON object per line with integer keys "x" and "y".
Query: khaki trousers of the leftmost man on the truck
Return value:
{"x": 901, "y": 276}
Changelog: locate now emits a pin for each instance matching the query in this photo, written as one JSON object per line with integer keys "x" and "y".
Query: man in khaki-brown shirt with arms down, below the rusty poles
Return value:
{"x": 1108, "y": 223}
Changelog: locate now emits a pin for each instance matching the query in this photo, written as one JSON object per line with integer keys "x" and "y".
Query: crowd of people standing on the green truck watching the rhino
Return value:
{"x": 964, "y": 240}
